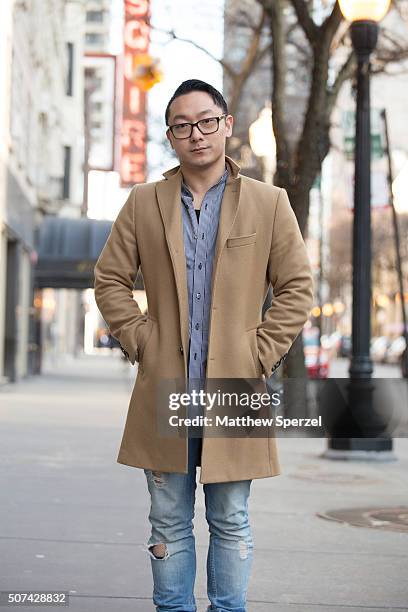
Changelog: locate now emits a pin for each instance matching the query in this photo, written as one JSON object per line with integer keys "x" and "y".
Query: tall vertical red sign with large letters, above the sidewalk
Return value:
{"x": 134, "y": 133}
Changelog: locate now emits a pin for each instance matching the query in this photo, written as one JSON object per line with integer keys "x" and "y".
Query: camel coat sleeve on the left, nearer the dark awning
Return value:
{"x": 115, "y": 275}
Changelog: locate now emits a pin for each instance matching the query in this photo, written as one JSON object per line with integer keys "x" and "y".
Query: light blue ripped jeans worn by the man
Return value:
{"x": 173, "y": 561}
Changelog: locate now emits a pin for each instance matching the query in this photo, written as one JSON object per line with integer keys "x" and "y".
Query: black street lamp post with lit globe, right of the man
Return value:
{"x": 364, "y": 15}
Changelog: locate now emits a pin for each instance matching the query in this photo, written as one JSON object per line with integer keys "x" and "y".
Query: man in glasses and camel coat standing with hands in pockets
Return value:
{"x": 209, "y": 242}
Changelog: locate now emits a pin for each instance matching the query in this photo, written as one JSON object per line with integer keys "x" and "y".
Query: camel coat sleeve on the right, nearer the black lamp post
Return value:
{"x": 290, "y": 274}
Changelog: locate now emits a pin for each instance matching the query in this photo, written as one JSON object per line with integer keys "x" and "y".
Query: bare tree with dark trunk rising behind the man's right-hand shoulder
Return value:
{"x": 279, "y": 31}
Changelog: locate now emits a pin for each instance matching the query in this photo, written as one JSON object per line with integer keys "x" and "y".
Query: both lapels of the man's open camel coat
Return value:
{"x": 169, "y": 200}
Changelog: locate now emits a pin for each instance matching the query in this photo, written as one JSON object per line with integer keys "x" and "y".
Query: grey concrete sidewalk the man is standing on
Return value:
{"x": 73, "y": 519}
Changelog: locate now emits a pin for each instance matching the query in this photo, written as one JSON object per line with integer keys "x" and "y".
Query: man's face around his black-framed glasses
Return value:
{"x": 200, "y": 150}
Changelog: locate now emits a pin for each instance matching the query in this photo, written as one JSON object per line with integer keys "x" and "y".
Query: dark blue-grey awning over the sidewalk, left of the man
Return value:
{"x": 68, "y": 250}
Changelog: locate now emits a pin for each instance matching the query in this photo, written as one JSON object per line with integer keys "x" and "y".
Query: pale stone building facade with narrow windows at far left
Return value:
{"x": 41, "y": 156}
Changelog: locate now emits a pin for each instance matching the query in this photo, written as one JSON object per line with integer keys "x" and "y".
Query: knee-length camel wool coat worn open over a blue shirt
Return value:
{"x": 258, "y": 243}
